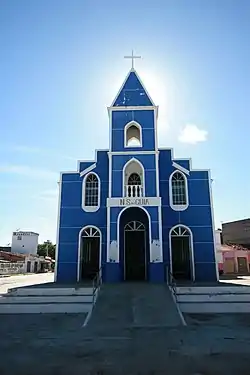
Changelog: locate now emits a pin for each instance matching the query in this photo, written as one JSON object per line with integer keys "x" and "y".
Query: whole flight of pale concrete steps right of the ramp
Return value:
{"x": 213, "y": 299}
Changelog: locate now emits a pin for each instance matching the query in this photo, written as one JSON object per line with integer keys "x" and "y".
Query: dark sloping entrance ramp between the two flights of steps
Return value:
{"x": 121, "y": 307}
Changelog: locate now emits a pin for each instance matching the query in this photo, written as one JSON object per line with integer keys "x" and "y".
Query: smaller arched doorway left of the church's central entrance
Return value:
{"x": 89, "y": 253}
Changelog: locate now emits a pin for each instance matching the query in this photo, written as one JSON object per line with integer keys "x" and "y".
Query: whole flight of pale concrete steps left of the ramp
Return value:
{"x": 55, "y": 299}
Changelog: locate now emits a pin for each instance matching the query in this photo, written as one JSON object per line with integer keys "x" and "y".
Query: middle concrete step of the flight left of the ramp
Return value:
{"x": 10, "y": 299}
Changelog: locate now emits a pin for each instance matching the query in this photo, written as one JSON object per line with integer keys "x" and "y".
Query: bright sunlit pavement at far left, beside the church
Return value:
{"x": 24, "y": 280}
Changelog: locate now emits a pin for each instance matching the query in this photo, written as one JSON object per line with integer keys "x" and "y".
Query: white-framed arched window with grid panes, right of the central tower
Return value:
{"x": 178, "y": 191}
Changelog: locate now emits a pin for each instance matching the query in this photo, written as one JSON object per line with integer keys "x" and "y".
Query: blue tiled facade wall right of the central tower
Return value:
{"x": 198, "y": 216}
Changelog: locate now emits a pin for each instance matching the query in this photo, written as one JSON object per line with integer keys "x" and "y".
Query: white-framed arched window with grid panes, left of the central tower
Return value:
{"x": 91, "y": 192}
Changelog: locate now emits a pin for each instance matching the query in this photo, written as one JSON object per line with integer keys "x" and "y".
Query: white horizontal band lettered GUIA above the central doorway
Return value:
{"x": 134, "y": 202}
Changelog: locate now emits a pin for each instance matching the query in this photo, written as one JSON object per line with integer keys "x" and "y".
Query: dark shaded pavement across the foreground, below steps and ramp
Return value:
{"x": 211, "y": 344}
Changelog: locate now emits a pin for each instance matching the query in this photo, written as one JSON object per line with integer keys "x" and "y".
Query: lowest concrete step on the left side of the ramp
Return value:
{"x": 43, "y": 308}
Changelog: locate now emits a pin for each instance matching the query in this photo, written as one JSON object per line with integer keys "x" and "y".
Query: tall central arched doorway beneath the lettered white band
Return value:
{"x": 134, "y": 244}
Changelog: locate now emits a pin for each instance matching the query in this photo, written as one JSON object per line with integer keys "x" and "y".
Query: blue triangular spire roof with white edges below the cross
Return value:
{"x": 132, "y": 93}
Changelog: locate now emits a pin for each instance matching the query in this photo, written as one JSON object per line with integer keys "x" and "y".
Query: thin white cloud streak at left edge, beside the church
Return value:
{"x": 25, "y": 170}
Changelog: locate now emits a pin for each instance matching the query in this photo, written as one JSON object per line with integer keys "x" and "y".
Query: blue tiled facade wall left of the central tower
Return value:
{"x": 73, "y": 218}
